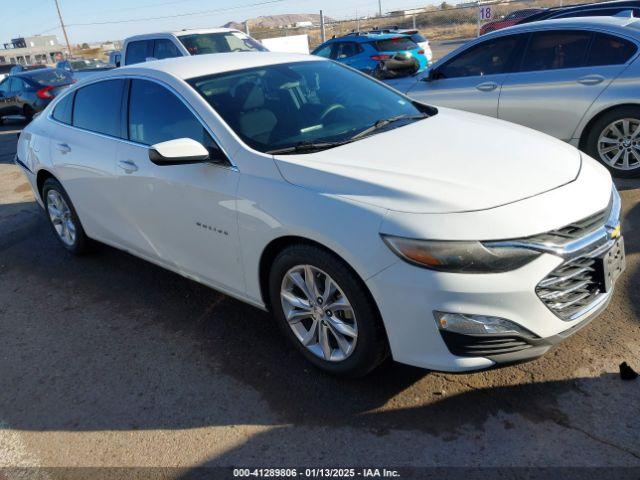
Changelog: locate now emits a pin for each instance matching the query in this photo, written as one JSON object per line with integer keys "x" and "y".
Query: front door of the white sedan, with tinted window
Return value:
{"x": 182, "y": 215}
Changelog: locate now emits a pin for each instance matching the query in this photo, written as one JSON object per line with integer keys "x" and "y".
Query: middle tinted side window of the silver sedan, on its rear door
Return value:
{"x": 556, "y": 50}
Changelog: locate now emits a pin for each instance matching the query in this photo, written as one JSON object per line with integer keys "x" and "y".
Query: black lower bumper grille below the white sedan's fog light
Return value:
{"x": 482, "y": 345}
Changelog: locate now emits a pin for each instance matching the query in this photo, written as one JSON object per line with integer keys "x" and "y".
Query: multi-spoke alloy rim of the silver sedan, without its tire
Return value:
{"x": 619, "y": 144}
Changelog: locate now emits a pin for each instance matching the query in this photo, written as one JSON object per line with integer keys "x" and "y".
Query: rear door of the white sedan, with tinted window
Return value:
{"x": 85, "y": 130}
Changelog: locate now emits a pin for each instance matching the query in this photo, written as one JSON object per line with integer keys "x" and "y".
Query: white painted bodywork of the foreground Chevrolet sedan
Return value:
{"x": 425, "y": 180}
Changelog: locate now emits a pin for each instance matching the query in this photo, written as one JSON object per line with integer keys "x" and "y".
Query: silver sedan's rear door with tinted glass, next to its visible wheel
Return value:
{"x": 561, "y": 74}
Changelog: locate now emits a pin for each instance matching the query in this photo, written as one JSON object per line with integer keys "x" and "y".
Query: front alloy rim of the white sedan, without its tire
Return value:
{"x": 319, "y": 313}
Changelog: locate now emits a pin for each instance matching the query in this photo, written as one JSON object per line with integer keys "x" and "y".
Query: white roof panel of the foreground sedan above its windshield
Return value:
{"x": 210, "y": 64}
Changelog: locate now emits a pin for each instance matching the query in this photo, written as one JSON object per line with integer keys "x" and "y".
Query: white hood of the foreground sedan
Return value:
{"x": 451, "y": 162}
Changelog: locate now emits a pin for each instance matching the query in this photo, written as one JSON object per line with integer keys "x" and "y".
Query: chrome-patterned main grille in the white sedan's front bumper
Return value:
{"x": 572, "y": 286}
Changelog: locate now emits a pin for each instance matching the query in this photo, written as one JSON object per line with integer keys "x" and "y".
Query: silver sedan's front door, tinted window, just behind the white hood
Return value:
{"x": 472, "y": 79}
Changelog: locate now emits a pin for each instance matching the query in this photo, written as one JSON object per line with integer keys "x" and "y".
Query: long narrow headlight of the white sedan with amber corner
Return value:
{"x": 458, "y": 256}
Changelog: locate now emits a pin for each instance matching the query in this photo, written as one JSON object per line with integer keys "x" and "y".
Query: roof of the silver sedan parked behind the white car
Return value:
{"x": 622, "y": 25}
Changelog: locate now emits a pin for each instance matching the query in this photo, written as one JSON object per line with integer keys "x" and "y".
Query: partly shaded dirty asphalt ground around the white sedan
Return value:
{"x": 108, "y": 360}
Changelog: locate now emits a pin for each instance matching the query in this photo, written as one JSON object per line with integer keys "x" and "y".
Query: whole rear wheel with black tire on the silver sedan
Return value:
{"x": 627, "y": 145}
